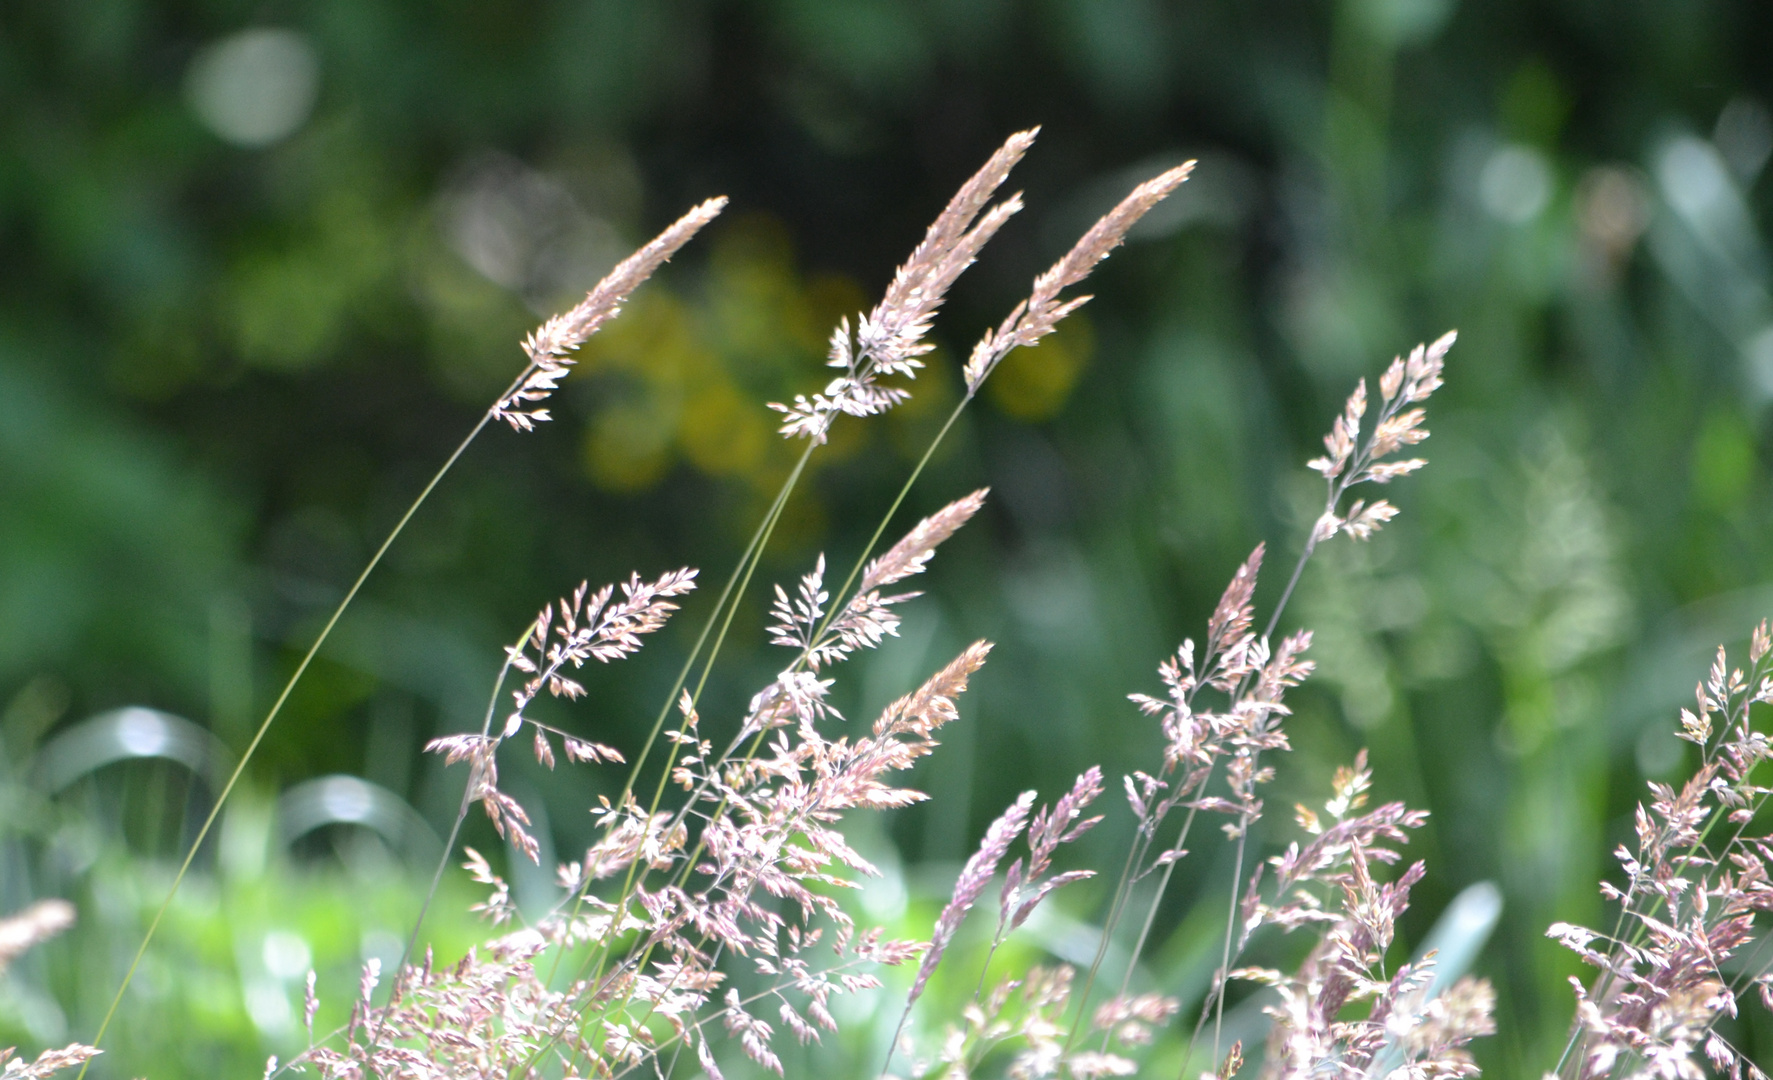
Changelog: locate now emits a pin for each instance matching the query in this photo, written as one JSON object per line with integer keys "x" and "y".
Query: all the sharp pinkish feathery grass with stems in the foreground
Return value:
{"x": 707, "y": 921}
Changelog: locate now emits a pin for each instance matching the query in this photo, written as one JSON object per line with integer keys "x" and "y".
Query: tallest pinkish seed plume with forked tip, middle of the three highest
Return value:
{"x": 891, "y": 340}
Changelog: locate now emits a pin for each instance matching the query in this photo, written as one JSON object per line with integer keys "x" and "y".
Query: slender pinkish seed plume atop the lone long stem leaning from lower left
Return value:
{"x": 552, "y": 345}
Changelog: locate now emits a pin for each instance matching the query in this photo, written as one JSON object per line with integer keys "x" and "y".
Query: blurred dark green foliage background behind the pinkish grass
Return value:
{"x": 267, "y": 263}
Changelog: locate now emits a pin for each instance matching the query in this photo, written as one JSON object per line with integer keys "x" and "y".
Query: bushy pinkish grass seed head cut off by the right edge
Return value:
{"x": 1692, "y": 891}
